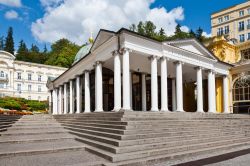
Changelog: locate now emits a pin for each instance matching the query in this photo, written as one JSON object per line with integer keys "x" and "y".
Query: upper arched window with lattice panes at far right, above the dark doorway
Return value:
{"x": 241, "y": 89}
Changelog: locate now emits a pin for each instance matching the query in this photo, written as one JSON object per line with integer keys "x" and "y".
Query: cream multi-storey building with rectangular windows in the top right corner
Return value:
{"x": 233, "y": 22}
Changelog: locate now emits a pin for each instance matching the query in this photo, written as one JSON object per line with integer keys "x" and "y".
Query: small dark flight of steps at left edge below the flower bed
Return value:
{"x": 7, "y": 120}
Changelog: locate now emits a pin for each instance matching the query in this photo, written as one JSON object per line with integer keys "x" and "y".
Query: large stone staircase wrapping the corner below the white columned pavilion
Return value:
{"x": 130, "y": 138}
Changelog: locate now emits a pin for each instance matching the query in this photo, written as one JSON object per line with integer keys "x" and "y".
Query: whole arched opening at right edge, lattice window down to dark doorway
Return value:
{"x": 241, "y": 94}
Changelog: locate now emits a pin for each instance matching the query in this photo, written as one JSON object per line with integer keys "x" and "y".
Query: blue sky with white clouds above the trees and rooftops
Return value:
{"x": 196, "y": 13}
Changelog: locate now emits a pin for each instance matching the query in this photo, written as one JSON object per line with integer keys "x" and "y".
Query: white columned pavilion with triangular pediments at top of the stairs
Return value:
{"x": 126, "y": 71}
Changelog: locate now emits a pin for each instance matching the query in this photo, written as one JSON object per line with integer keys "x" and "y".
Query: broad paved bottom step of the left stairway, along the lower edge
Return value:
{"x": 62, "y": 158}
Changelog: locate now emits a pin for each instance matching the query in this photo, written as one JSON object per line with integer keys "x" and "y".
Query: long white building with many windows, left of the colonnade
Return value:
{"x": 24, "y": 79}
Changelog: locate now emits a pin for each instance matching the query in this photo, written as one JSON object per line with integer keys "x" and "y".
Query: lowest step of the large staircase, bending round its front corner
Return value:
{"x": 167, "y": 151}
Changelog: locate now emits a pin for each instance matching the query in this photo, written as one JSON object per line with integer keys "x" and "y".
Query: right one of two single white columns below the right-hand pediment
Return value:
{"x": 199, "y": 89}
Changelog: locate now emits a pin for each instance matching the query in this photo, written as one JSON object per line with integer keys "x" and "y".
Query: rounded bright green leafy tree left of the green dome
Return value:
{"x": 62, "y": 53}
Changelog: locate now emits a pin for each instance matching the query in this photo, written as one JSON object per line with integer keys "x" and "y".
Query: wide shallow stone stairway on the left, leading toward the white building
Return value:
{"x": 41, "y": 140}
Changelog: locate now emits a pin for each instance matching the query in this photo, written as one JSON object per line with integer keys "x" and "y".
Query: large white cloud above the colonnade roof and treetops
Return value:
{"x": 75, "y": 19}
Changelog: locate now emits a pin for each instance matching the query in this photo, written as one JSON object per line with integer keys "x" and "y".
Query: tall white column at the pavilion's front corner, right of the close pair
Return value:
{"x": 126, "y": 80}
